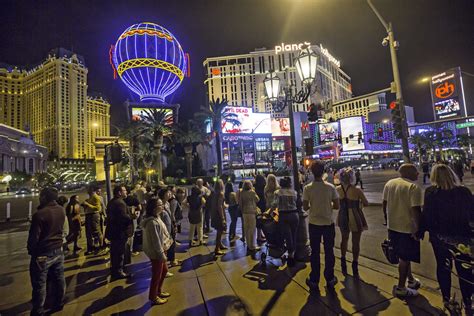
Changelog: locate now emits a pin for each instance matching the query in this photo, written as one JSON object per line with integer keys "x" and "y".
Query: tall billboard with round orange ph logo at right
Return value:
{"x": 447, "y": 94}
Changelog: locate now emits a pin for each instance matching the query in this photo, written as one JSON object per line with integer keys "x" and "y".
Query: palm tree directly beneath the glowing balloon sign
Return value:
{"x": 154, "y": 127}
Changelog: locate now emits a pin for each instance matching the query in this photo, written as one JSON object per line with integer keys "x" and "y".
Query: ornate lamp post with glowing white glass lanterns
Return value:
{"x": 306, "y": 65}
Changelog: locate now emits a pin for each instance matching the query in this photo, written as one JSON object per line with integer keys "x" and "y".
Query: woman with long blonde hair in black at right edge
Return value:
{"x": 448, "y": 210}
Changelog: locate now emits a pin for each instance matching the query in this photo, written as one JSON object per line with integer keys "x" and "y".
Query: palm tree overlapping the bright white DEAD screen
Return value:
{"x": 216, "y": 114}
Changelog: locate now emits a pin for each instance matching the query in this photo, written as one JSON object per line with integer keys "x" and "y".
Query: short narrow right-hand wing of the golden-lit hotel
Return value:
{"x": 98, "y": 118}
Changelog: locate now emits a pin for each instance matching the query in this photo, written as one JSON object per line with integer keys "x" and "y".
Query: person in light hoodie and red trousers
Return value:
{"x": 156, "y": 242}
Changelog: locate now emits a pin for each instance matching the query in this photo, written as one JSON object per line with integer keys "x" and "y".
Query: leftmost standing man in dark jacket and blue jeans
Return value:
{"x": 45, "y": 242}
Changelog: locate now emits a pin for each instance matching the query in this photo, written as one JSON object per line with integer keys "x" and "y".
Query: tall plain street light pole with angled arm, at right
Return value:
{"x": 396, "y": 78}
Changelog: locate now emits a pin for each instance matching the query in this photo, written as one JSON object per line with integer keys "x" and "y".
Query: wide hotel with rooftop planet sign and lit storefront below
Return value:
{"x": 239, "y": 80}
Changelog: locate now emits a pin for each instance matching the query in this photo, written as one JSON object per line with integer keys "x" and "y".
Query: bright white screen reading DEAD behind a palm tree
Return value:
{"x": 242, "y": 120}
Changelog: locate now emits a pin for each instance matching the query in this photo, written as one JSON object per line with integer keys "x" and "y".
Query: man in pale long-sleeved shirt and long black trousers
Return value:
{"x": 320, "y": 198}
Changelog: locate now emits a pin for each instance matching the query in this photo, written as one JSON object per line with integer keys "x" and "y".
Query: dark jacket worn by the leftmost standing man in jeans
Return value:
{"x": 46, "y": 230}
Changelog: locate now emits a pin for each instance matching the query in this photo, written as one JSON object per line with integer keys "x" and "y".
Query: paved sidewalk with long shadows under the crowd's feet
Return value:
{"x": 204, "y": 285}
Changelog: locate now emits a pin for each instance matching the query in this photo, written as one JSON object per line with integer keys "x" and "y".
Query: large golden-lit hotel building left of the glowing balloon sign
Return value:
{"x": 50, "y": 101}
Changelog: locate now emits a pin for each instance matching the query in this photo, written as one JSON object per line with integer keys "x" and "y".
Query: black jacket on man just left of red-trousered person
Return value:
{"x": 119, "y": 222}
